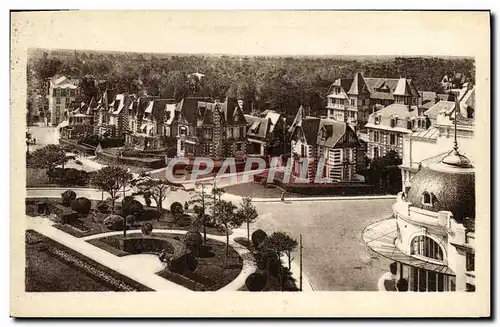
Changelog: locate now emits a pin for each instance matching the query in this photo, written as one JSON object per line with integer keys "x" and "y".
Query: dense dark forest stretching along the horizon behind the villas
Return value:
{"x": 281, "y": 83}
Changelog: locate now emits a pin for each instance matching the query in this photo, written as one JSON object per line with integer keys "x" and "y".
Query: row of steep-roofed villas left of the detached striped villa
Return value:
{"x": 195, "y": 126}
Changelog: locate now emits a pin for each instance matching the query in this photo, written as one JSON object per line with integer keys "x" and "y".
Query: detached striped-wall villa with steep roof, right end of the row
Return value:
{"x": 323, "y": 146}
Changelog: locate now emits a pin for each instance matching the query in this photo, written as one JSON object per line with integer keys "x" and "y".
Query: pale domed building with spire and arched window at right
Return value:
{"x": 431, "y": 233}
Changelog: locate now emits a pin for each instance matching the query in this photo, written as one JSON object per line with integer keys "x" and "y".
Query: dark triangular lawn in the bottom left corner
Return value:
{"x": 52, "y": 267}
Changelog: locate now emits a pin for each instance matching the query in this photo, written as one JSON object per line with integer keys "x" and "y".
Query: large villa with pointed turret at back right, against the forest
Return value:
{"x": 352, "y": 100}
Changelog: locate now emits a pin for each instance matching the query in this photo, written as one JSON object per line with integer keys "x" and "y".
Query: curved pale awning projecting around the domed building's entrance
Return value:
{"x": 381, "y": 236}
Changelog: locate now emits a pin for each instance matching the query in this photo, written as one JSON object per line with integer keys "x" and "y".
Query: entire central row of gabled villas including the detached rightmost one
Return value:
{"x": 198, "y": 126}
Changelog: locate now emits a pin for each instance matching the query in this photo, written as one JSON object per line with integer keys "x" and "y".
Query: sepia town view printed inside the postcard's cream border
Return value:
{"x": 158, "y": 171}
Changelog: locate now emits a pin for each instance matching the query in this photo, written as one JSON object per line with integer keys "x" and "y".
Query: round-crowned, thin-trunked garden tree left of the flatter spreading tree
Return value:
{"x": 112, "y": 180}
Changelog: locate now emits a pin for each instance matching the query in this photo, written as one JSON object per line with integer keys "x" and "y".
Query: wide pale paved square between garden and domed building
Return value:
{"x": 335, "y": 257}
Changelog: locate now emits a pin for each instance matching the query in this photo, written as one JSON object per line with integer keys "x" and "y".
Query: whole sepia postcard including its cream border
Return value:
{"x": 250, "y": 164}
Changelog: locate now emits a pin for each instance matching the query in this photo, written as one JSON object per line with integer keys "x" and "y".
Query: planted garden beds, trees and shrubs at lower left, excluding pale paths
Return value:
{"x": 190, "y": 239}
